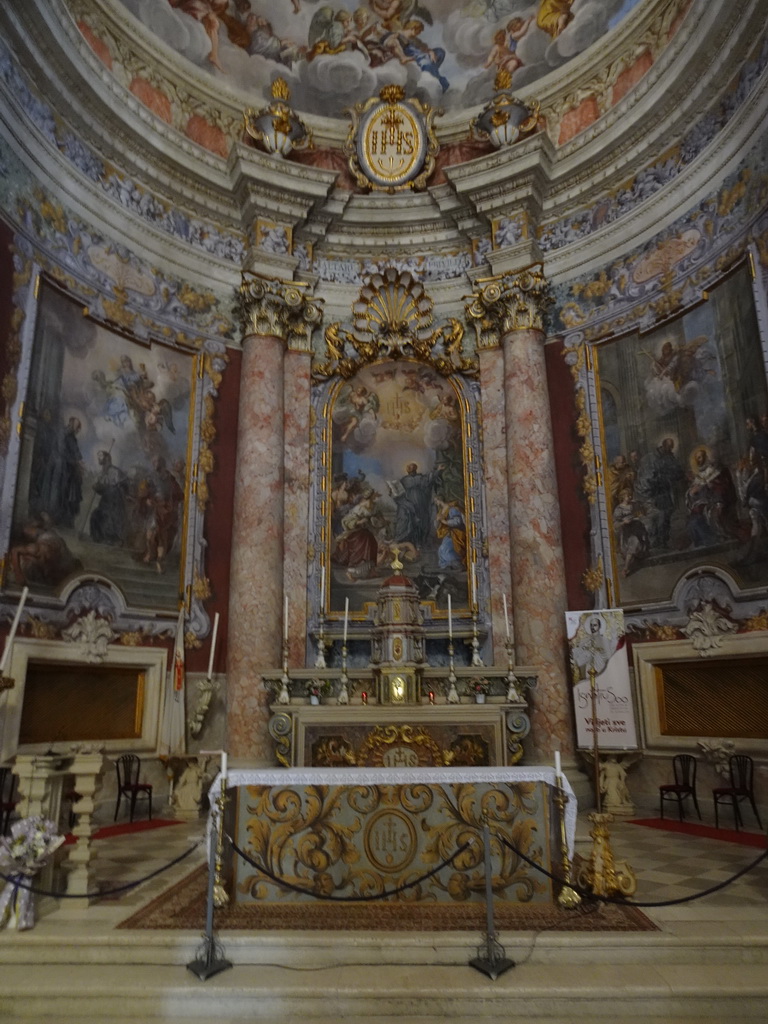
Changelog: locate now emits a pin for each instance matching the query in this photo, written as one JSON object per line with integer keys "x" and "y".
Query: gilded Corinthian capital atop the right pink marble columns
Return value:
{"x": 516, "y": 302}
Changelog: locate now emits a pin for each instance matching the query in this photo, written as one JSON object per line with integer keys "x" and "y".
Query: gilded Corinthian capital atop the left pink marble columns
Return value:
{"x": 279, "y": 310}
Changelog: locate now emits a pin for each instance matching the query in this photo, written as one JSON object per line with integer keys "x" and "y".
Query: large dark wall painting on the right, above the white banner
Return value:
{"x": 686, "y": 438}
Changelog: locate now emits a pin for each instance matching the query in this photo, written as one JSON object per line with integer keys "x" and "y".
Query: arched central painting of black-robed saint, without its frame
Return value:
{"x": 398, "y": 481}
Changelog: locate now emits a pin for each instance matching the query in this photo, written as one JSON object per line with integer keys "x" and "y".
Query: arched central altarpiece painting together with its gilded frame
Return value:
{"x": 398, "y": 465}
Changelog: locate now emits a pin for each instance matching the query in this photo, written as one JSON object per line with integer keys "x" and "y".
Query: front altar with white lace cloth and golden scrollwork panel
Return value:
{"x": 411, "y": 835}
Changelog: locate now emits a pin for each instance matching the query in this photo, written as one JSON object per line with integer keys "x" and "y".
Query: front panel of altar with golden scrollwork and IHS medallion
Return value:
{"x": 358, "y": 841}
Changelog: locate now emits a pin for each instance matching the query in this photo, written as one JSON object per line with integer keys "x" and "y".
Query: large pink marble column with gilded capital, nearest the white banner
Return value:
{"x": 516, "y": 306}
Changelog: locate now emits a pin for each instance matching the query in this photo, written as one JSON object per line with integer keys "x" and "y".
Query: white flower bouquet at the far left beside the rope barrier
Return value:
{"x": 31, "y": 843}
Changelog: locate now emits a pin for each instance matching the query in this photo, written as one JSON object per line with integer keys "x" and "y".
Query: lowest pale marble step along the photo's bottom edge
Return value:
{"x": 576, "y": 994}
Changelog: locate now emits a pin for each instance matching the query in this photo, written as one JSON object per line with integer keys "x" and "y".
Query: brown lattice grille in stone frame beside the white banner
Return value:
{"x": 728, "y": 698}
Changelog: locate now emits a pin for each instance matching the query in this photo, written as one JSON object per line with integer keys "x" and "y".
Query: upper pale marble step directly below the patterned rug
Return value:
{"x": 301, "y": 951}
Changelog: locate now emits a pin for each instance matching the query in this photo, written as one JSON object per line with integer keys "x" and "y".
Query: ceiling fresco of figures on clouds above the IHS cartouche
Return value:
{"x": 447, "y": 53}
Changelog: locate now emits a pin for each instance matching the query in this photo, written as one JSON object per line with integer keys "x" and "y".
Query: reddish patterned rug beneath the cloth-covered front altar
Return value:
{"x": 185, "y": 907}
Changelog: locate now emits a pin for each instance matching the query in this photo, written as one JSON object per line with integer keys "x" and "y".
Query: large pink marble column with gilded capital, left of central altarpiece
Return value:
{"x": 278, "y": 317}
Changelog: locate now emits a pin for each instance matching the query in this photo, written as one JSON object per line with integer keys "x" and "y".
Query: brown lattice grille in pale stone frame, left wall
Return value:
{"x": 71, "y": 703}
